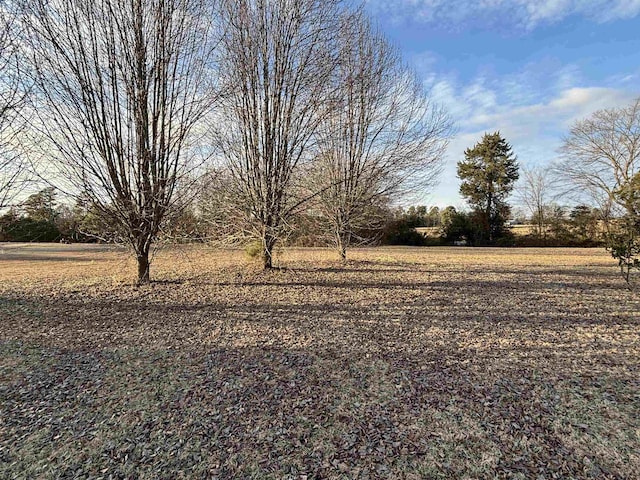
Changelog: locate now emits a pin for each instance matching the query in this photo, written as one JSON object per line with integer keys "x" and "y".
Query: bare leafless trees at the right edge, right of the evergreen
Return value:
{"x": 598, "y": 168}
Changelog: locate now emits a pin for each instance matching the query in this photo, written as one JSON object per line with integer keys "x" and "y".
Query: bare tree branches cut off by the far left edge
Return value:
{"x": 12, "y": 100}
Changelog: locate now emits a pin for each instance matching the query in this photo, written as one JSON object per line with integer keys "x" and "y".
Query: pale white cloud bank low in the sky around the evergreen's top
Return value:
{"x": 531, "y": 118}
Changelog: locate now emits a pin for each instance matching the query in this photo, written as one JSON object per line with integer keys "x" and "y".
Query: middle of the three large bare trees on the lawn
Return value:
{"x": 277, "y": 60}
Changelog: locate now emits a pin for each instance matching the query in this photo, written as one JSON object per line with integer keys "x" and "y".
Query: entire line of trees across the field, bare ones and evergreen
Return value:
{"x": 241, "y": 121}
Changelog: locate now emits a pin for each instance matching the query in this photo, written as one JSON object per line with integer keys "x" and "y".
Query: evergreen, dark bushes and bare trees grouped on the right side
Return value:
{"x": 598, "y": 165}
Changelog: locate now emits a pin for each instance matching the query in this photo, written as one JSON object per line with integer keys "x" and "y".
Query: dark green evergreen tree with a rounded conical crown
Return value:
{"x": 488, "y": 174}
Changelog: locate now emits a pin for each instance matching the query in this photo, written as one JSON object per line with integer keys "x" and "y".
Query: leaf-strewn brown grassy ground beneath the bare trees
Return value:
{"x": 403, "y": 363}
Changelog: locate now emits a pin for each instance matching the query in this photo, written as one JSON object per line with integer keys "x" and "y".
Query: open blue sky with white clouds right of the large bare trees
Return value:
{"x": 526, "y": 68}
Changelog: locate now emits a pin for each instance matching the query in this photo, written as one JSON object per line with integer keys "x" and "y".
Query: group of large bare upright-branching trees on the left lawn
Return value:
{"x": 132, "y": 107}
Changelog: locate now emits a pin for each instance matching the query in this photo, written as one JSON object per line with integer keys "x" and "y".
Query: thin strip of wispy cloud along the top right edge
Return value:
{"x": 526, "y": 14}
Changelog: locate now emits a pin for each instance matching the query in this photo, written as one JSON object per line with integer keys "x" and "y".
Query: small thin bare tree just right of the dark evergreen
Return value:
{"x": 535, "y": 192}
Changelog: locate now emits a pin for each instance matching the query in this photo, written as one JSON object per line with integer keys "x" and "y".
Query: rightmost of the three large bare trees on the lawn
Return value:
{"x": 382, "y": 136}
